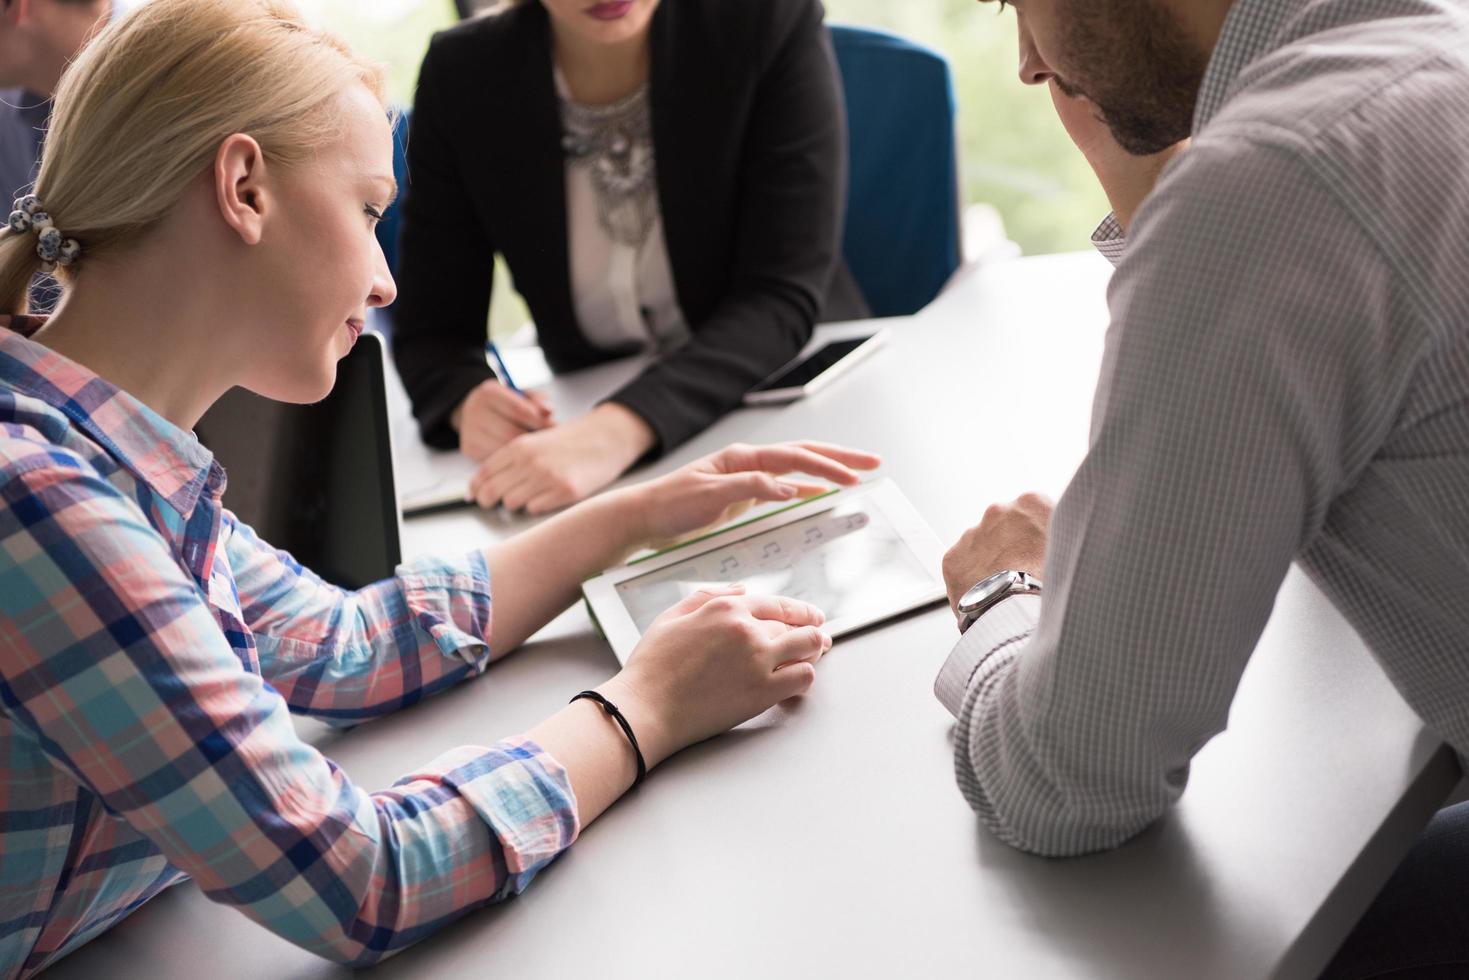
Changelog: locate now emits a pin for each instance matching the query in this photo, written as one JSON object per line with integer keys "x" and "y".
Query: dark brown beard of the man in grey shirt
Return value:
{"x": 1138, "y": 64}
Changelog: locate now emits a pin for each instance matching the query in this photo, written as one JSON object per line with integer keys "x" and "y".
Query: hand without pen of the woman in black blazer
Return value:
{"x": 540, "y": 472}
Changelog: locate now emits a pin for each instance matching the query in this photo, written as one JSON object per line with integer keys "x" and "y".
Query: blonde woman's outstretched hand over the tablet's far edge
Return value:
{"x": 723, "y": 486}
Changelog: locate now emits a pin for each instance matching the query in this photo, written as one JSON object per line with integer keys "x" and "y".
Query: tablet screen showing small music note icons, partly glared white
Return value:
{"x": 847, "y": 562}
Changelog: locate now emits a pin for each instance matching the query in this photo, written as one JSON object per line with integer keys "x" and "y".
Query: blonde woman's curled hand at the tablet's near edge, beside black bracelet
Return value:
{"x": 713, "y": 662}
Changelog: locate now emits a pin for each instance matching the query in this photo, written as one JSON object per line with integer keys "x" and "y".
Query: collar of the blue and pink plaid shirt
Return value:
{"x": 168, "y": 461}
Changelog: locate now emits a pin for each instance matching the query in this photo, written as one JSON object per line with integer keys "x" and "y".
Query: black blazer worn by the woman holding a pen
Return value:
{"x": 750, "y": 137}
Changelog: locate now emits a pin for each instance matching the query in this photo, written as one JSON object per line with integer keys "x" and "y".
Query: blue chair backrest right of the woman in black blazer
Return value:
{"x": 903, "y": 239}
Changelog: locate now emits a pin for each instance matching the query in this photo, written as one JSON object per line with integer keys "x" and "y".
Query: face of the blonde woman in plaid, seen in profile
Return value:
{"x": 322, "y": 264}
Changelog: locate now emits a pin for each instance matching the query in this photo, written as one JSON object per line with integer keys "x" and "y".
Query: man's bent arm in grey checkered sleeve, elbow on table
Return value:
{"x": 1245, "y": 384}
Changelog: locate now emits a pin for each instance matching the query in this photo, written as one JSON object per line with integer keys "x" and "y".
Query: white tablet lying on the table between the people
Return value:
{"x": 860, "y": 555}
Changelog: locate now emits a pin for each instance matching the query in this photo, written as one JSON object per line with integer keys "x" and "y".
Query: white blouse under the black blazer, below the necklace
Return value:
{"x": 622, "y": 293}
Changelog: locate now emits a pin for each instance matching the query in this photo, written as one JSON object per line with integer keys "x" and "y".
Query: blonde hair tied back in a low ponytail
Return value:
{"x": 145, "y": 108}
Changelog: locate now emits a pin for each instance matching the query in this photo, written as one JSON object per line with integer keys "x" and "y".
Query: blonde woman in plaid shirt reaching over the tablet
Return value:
{"x": 208, "y": 196}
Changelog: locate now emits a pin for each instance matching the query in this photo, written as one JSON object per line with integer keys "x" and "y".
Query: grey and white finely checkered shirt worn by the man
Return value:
{"x": 1286, "y": 380}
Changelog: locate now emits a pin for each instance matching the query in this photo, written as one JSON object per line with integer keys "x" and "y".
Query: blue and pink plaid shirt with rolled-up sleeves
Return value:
{"x": 151, "y": 652}
